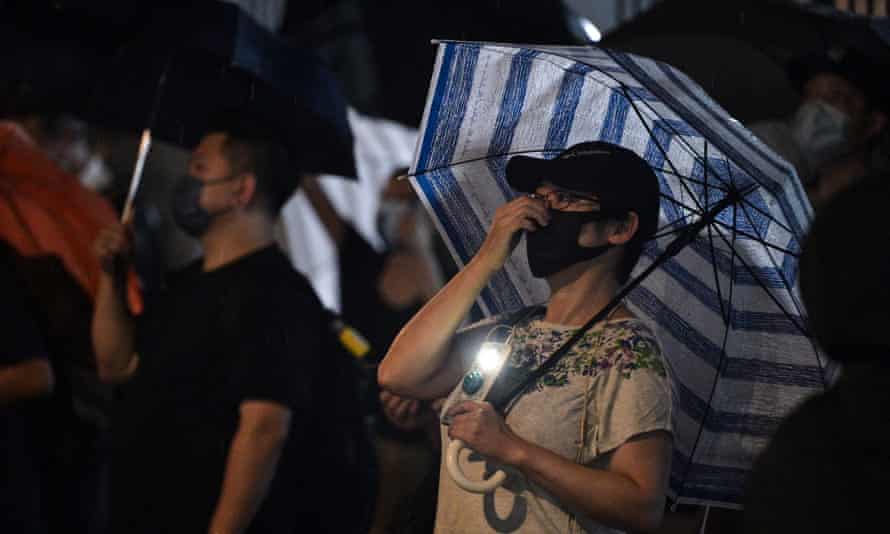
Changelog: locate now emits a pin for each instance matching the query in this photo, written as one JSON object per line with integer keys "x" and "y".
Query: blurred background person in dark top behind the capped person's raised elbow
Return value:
{"x": 380, "y": 292}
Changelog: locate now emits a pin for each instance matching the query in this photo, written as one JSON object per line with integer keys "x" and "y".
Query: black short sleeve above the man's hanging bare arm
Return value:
{"x": 278, "y": 352}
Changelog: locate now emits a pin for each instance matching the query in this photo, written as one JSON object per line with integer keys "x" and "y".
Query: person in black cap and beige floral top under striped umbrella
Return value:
{"x": 587, "y": 446}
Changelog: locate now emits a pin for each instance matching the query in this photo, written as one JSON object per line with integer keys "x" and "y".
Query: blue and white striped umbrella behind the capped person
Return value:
{"x": 726, "y": 308}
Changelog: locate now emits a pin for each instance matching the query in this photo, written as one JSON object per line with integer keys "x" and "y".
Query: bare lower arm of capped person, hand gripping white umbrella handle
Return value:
{"x": 627, "y": 493}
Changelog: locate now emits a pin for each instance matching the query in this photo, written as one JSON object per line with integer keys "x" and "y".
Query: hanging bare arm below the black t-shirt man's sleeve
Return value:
{"x": 253, "y": 459}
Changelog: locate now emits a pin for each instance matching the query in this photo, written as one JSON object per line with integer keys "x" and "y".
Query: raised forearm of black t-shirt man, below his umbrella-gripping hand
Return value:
{"x": 112, "y": 331}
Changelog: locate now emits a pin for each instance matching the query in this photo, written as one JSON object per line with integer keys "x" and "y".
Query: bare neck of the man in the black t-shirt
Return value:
{"x": 234, "y": 236}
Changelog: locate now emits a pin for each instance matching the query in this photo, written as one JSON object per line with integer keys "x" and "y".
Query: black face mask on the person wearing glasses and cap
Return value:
{"x": 554, "y": 247}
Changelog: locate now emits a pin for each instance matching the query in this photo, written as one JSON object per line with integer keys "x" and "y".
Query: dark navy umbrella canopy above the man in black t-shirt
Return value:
{"x": 191, "y": 62}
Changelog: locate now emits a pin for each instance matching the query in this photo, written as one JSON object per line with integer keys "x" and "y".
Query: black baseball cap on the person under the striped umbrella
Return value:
{"x": 621, "y": 179}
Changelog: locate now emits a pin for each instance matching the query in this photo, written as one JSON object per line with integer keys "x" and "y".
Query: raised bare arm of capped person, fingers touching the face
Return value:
{"x": 417, "y": 364}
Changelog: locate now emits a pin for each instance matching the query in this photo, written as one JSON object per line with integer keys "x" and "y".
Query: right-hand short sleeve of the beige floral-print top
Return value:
{"x": 631, "y": 393}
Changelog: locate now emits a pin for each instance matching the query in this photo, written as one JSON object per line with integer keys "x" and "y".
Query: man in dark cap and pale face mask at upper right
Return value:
{"x": 834, "y": 137}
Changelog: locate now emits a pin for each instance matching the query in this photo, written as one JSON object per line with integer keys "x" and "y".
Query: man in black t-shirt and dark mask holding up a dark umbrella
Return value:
{"x": 222, "y": 422}
